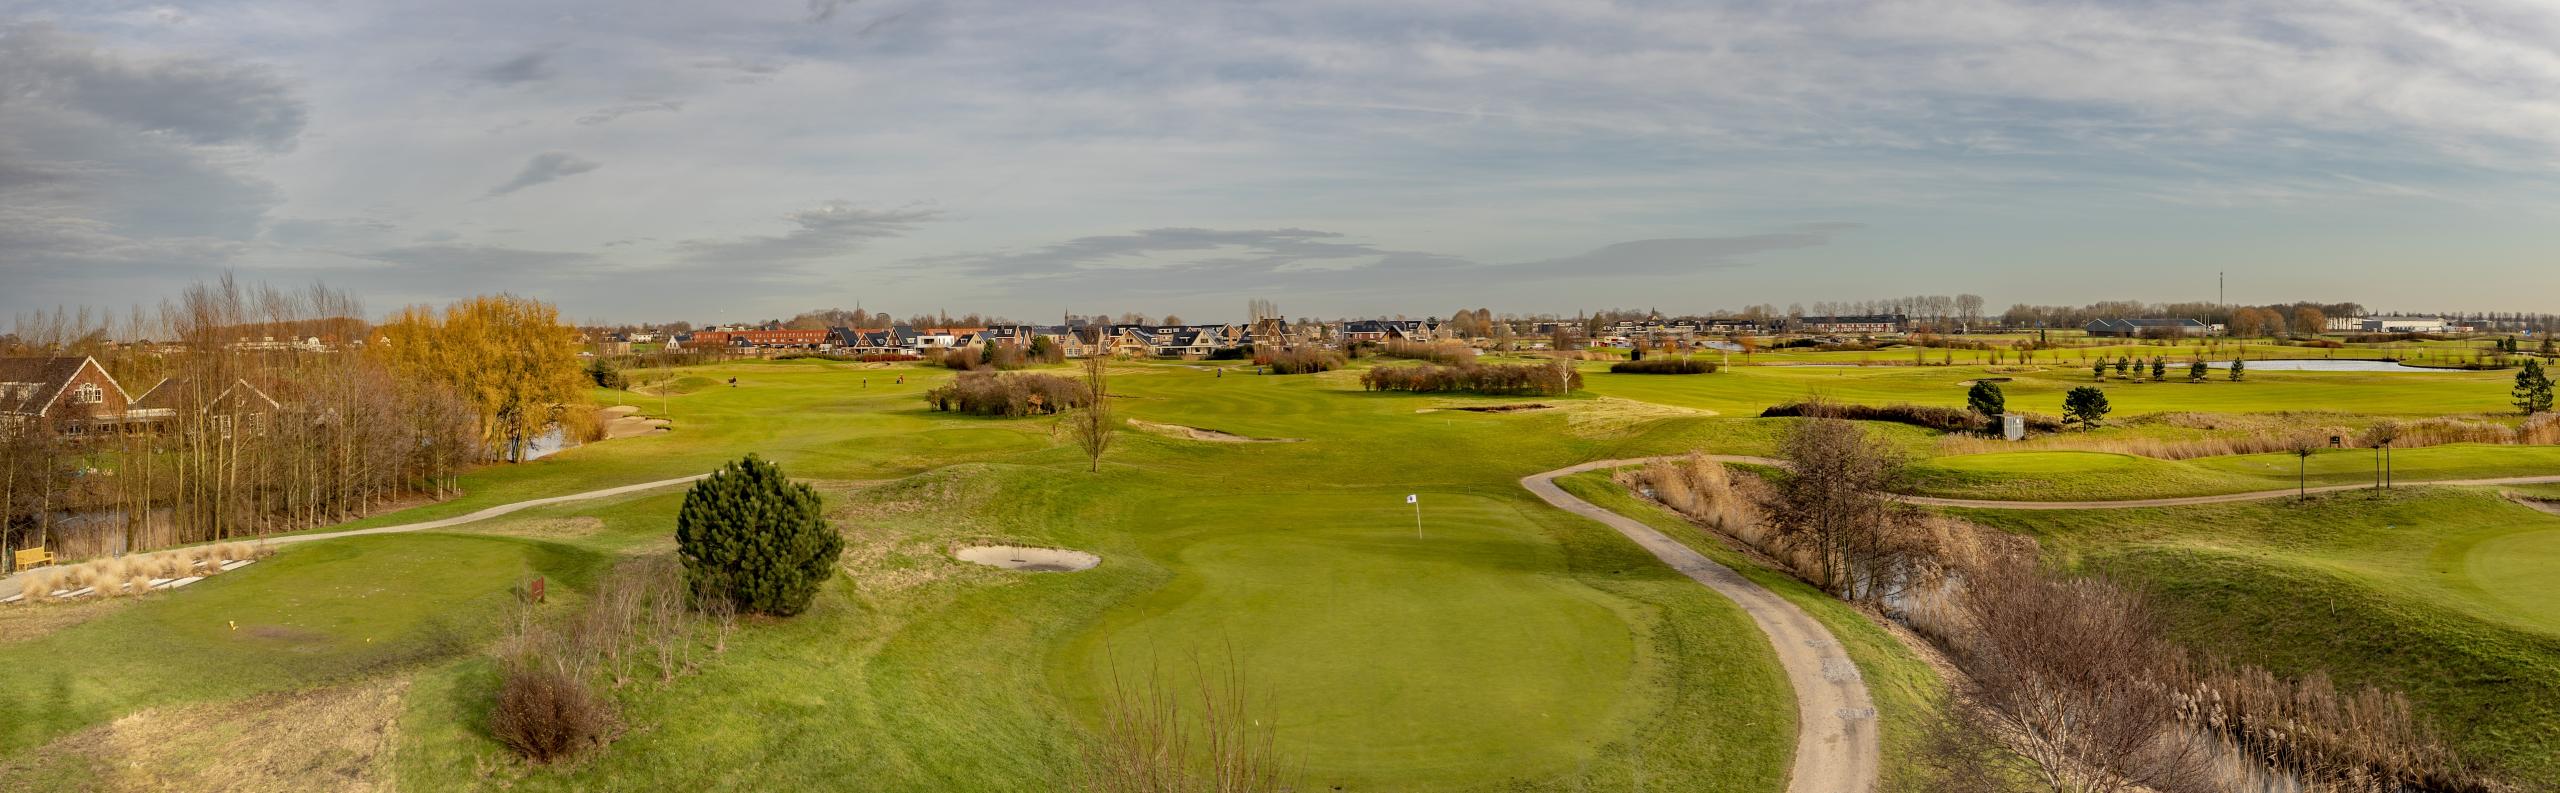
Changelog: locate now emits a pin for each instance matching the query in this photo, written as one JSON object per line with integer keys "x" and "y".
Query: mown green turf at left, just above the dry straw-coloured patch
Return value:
{"x": 311, "y": 615}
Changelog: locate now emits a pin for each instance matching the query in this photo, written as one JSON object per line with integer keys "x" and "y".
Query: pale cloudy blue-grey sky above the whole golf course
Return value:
{"x": 649, "y": 160}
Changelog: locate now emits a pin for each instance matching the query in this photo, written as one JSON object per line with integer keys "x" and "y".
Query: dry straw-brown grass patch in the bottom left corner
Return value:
{"x": 306, "y": 741}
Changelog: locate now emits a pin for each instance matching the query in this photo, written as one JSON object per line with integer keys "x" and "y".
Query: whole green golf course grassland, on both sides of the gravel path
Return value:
{"x": 1504, "y": 648}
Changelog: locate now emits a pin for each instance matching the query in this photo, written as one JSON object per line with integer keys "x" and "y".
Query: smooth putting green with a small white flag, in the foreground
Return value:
{"x": 1391, "y": 659}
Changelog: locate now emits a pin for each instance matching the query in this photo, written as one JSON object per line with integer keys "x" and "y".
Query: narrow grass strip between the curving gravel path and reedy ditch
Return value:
{"x": 1898, "y": 682}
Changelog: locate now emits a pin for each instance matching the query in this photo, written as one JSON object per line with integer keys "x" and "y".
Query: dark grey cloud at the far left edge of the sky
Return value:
{"x": 116, "y": 165}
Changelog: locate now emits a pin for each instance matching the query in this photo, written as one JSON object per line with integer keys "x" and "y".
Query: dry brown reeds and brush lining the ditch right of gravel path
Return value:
{"x": 2026, "y": 666}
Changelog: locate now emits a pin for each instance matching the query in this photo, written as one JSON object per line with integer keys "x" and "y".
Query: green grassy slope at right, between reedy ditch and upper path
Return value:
{"x": 2426, "y": 590}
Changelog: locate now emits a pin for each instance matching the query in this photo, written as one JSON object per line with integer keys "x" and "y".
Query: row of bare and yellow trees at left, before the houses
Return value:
{"x": 280, "y": 411}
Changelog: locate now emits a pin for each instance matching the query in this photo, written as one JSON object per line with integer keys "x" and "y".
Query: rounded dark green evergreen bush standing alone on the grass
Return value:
{"x": 754, "y": 541}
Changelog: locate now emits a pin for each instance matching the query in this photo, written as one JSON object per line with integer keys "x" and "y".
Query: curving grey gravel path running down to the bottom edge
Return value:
{"x": 1837, "y": 723}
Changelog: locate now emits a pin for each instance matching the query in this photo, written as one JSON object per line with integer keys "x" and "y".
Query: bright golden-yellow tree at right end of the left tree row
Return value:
{"x": 508, "y": 357}
